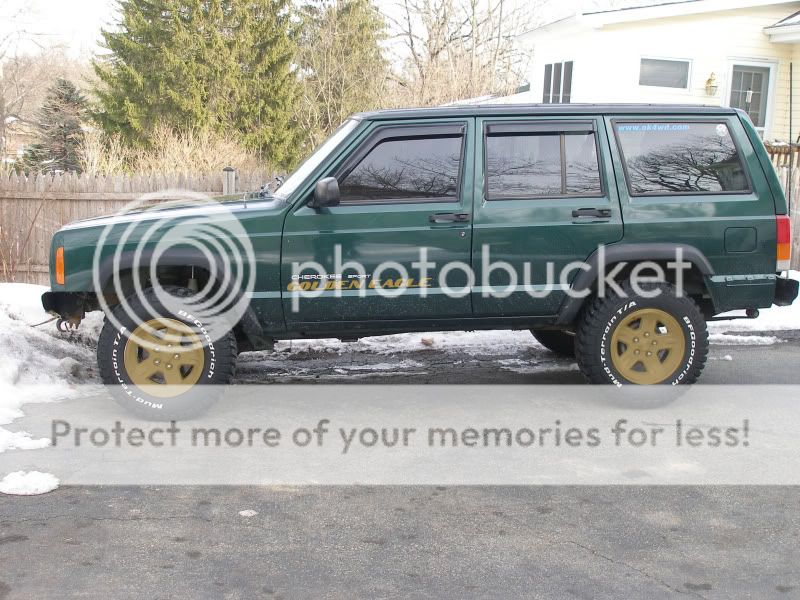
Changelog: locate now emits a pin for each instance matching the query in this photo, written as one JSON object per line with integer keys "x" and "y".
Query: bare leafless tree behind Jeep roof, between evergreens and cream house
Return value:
{"x": 458, "y": 49}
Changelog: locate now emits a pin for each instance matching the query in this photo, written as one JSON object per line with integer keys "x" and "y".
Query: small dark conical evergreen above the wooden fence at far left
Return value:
{"x": 58, "y": 130}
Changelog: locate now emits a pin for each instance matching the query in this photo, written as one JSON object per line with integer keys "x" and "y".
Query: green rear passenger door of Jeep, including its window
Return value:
{"x": 545, "y": 198}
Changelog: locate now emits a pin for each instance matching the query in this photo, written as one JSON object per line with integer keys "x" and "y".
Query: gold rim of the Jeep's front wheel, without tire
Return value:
{"x": 165, "y": 356}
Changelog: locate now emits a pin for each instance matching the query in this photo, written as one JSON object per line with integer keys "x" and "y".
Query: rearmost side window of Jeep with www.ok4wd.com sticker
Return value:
{"x": 680, "y": 158}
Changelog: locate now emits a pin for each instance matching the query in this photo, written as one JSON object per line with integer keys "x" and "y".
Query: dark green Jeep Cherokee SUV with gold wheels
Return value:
{"x": 612, "y": 232}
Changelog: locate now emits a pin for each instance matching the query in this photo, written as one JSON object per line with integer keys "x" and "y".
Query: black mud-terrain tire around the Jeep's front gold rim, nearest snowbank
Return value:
{"x": 218, "y": 369}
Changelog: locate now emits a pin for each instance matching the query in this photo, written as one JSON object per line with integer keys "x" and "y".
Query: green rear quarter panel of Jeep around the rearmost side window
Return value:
{"x": 734, "y": 231}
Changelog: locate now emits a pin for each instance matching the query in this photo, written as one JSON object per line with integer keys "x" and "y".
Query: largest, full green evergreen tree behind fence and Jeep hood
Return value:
{"x": 194, "y": 64}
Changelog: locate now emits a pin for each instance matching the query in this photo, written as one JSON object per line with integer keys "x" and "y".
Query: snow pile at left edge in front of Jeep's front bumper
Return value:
{"x": 36, "y": 364}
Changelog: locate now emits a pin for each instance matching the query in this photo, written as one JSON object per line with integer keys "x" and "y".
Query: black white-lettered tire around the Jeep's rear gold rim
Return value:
{"x": 598, "y": 320}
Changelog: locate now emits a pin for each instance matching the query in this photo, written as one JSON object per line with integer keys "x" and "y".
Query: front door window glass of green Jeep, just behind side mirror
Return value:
{"x": 408, "y": 169}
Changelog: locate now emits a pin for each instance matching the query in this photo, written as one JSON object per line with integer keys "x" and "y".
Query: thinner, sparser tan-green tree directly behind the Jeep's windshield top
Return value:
{"x": 343, "y": 69}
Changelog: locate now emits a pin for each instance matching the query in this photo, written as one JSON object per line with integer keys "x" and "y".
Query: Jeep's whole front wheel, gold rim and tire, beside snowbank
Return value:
{"x": 162, "y": 364}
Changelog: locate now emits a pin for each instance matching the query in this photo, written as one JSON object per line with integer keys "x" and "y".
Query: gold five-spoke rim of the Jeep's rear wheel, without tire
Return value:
{"x": 647, "y": 346}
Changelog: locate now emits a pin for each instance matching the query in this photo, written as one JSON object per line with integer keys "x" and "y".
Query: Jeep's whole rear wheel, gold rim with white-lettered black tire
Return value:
{"x": 655, "y": 337}
